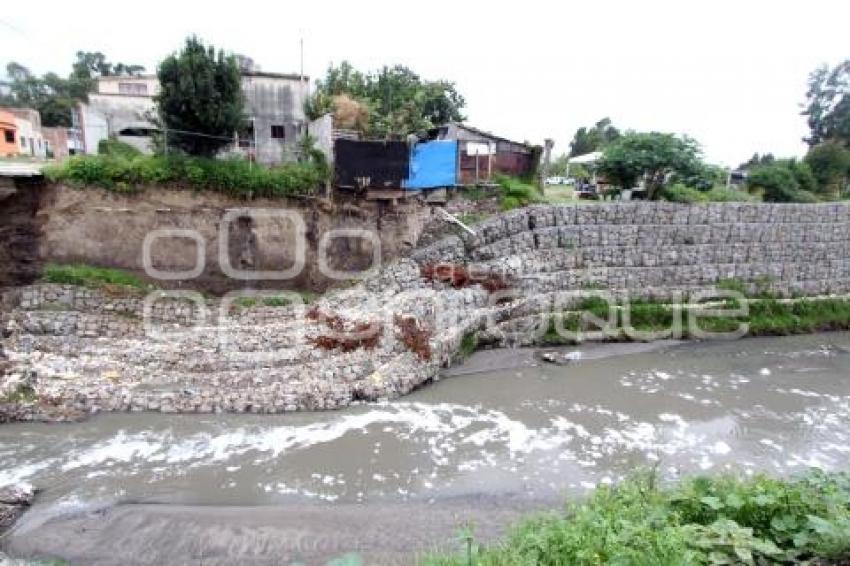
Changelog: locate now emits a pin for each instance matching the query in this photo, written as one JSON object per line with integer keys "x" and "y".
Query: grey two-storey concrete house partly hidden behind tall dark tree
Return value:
{"x": 274, "y": 114}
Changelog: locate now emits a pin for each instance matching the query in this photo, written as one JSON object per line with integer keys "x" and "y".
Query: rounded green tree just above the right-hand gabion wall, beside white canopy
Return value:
{"x": 653, "y": 156}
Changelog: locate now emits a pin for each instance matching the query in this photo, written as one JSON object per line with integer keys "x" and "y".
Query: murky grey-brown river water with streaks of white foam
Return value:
{"x": 384, "y": 483}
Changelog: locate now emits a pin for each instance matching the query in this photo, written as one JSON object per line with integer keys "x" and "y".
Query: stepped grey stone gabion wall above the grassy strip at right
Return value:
{"x": 793, "y": 248}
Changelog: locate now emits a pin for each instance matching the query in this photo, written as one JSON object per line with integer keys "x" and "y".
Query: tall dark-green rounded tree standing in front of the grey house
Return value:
{"x": 200, "y": 103}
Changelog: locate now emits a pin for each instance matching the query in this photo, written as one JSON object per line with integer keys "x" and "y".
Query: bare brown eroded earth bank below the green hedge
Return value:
{"x": 344, "y": 235}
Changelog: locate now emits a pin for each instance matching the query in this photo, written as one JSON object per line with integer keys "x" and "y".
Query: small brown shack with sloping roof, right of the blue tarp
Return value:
{"x": 482, "y": 154}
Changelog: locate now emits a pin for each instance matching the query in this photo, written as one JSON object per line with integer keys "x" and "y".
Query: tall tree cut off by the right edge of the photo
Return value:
{"x": 827, "y": 105}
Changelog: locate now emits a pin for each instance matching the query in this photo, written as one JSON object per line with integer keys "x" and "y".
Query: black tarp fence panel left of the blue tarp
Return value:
{"x": 382, "y": 164}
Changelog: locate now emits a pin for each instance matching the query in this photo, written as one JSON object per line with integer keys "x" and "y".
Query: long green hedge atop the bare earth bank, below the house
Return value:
{"x": 235, "y": 177}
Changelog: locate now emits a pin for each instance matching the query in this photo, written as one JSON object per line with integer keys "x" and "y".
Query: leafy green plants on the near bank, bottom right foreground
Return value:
{"x": 722, "y": 520}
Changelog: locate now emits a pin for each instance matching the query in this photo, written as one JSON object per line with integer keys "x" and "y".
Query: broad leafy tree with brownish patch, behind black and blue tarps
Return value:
{"x": 395, "y": 101}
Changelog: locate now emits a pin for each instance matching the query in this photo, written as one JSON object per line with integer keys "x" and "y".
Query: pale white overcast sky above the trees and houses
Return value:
{"x": 732, "y": 74}
